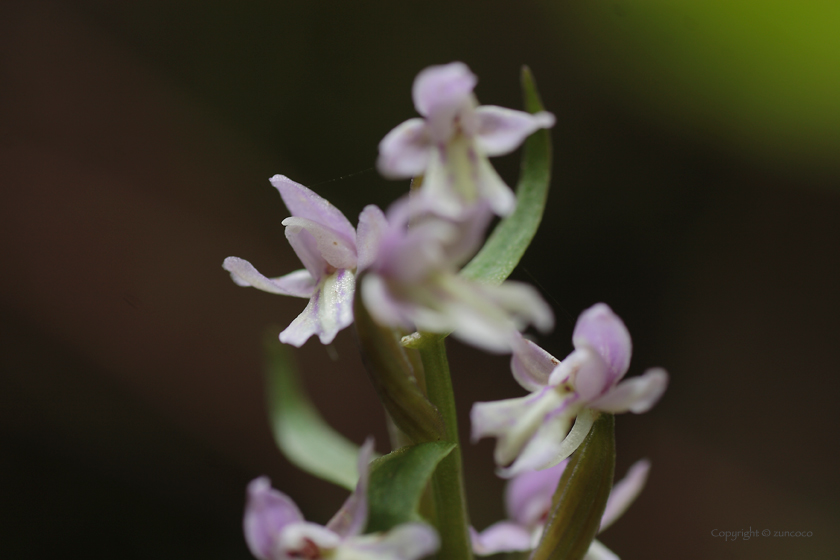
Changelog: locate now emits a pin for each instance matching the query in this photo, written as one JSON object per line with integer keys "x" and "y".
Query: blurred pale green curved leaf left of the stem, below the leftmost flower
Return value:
{"x": 301, "y": 434}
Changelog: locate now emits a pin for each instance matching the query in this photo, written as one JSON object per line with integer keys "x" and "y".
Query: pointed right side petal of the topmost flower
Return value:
{"x": 500, "y": 130}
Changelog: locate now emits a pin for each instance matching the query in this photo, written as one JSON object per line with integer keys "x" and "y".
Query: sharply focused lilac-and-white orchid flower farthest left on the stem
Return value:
{"x": 325, "y": 242}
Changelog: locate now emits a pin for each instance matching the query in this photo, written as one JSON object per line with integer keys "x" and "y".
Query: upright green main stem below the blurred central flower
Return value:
{"x": 448, "y": 481}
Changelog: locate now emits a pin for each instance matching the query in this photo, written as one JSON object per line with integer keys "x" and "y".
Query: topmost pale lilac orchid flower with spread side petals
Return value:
{"x": 450, "y": 145}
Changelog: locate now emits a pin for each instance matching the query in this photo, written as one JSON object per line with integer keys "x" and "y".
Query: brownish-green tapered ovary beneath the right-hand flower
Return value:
{"x": 581, "y": 496}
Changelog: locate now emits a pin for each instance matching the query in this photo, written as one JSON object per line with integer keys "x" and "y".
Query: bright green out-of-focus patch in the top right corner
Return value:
{"x": 761, "y": 77}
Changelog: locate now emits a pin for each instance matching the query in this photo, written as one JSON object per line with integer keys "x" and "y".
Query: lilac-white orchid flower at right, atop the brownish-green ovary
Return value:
{"x": 533, "y": 432}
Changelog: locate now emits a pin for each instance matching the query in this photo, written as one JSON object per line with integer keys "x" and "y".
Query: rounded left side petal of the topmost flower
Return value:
{"x": 404, "y": 152}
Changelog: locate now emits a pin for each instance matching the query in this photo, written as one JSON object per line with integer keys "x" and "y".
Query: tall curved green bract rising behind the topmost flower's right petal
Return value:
{"x": 509, "y": 240}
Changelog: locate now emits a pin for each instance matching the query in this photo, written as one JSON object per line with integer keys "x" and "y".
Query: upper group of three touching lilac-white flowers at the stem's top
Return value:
{"x": 413, "y": 281}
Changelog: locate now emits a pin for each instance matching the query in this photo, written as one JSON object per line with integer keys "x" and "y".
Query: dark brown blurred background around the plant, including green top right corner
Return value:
{"x": 696, "y": 190}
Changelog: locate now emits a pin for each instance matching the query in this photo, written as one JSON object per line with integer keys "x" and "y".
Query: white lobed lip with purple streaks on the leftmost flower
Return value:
{"x": 329, "y": 310}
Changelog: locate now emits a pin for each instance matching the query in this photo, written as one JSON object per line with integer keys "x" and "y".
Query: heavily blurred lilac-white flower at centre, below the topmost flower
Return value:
{"x": 411, "y": 280}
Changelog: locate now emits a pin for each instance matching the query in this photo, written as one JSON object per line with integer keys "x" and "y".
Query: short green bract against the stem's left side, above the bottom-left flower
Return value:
{"x": 397, "y": 483}
